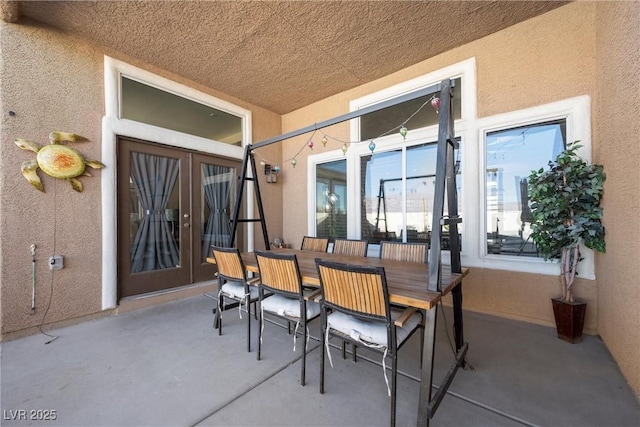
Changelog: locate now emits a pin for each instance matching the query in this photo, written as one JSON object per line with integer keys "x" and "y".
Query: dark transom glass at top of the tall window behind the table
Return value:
{"x": 378, "y": 123}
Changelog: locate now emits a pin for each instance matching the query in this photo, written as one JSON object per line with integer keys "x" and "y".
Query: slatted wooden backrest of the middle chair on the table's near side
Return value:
{"x": 279, "y": 272}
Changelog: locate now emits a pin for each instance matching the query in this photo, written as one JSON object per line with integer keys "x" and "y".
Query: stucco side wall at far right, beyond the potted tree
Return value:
{"x": 617, "y": 131}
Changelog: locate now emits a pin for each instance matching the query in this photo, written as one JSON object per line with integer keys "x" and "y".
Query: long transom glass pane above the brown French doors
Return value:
{"x": 147, "y": 104}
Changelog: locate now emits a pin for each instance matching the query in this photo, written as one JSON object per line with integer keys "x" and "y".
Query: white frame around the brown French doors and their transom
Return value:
{"x": 113, "y": 126}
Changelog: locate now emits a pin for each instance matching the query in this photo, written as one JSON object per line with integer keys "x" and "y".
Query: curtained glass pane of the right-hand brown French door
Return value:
{"x": 219, "y": 195}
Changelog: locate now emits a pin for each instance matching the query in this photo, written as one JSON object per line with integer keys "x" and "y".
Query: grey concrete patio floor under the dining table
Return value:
{"x": 165, "y": 366}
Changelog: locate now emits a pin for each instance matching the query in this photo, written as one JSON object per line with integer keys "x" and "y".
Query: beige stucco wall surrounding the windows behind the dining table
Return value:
{"x": 545, "y": 59}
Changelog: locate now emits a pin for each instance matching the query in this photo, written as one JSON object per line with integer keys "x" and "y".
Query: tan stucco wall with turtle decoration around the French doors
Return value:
{"x": 56, "y": 82}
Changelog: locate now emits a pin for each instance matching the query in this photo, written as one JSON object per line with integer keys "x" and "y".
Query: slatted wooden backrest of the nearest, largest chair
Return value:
{"x": 361, "y": 290}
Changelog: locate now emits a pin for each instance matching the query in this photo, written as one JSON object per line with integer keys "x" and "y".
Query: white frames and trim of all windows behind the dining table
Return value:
{"x": 472, "y": 132}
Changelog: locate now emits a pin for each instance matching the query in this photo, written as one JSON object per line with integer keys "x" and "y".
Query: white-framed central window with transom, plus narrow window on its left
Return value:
{"x": 389, "y": 193}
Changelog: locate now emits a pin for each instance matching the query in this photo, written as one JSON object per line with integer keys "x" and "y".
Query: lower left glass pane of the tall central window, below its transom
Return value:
{"x": 381, "y": 196}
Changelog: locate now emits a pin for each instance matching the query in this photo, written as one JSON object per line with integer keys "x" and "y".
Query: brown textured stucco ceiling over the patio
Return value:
{"x": 282, "y": 55}
